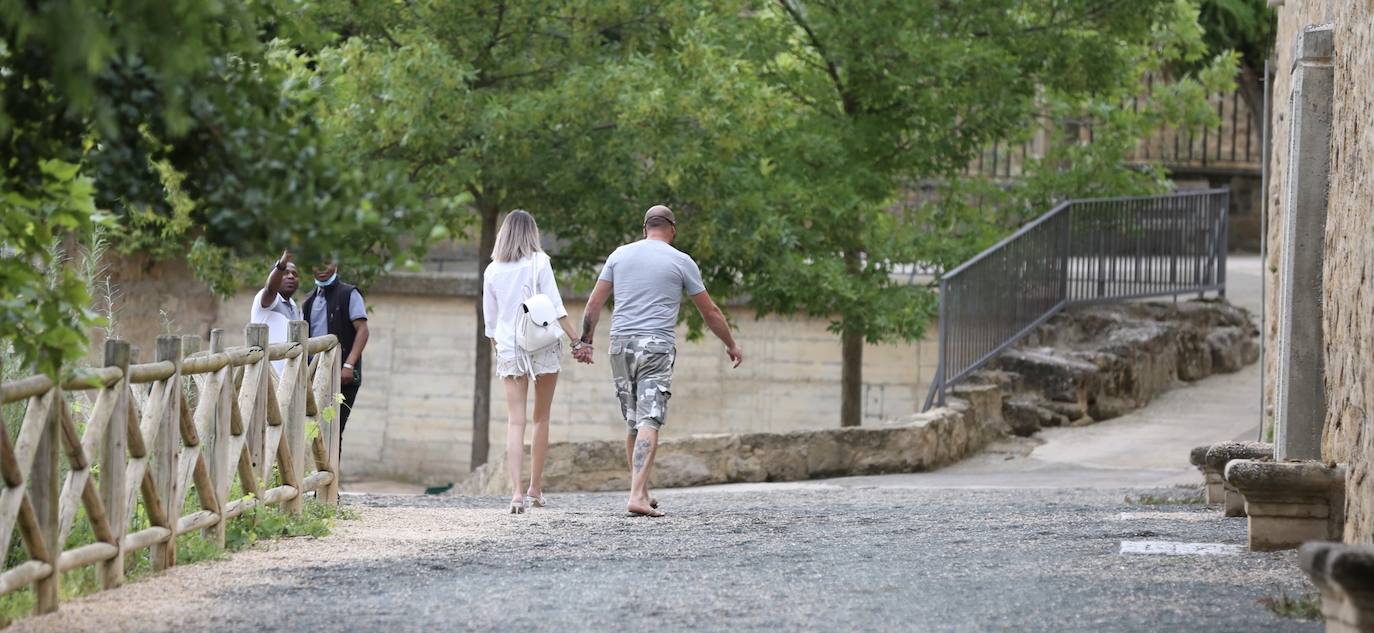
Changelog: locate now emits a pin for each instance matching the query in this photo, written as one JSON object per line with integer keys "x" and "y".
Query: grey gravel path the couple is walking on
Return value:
{"x": 761, "y": 558}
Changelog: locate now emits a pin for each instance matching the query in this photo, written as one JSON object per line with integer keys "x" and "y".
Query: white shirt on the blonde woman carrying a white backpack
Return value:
{"x": 505, "y": 288}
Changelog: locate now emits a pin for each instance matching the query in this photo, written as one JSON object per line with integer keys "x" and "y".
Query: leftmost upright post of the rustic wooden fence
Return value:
{"x": 45, "y": 491}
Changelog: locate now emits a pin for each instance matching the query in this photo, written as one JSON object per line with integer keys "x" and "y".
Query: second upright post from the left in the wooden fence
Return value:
{"x": 115, "y": 461}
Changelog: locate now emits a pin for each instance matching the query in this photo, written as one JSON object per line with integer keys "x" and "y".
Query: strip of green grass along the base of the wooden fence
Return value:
{"x": 263, "y": 524}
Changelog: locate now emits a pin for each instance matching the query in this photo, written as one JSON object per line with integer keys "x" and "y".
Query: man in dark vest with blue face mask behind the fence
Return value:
{"x": 337, "y": 308}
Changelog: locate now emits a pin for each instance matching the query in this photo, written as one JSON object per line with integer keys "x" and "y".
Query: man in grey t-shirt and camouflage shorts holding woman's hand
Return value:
{"x": 649, "y": 279}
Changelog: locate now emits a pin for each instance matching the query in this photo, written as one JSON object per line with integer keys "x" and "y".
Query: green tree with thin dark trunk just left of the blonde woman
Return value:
{"x": 582, "y": 112}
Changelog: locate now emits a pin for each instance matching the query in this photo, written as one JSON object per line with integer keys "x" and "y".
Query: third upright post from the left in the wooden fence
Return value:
{"x": 166, "y": 450}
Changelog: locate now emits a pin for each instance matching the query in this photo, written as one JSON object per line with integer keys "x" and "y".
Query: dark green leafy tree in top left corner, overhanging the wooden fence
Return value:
{"x": 178, "y": 120}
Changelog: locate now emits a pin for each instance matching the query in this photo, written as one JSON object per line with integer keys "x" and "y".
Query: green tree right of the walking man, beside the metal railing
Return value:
{"x": 895, "y": 94}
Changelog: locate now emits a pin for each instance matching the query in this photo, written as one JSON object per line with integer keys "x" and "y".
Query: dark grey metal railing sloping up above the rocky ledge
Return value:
{"x": 1082, "y": 252}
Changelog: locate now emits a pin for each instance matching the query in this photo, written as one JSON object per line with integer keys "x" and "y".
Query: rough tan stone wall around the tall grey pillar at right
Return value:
{"x": 1349, "y": 297}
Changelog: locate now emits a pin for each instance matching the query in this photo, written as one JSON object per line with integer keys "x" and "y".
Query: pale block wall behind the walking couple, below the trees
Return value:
{"x": 414, "y": 413}
